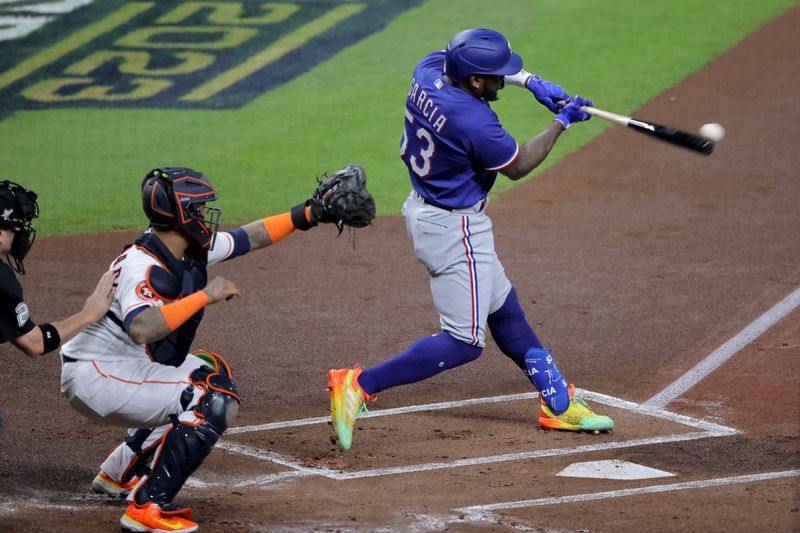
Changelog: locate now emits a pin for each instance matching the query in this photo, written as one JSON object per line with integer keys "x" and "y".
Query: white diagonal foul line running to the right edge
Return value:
{"x": 716, "y": 358}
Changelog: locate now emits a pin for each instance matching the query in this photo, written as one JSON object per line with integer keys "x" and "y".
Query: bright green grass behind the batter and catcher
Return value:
{"x": 86, "y": 165}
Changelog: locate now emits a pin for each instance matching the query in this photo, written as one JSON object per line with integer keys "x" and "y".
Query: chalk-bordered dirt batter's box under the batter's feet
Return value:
{"x": 459, "y": 426}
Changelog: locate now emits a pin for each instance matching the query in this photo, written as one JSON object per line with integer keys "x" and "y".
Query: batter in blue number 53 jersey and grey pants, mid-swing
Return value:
{"x": 454, "y": 145}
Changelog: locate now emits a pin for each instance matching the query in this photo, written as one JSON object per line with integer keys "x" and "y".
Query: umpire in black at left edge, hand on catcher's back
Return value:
{"x": 18, "y": 208}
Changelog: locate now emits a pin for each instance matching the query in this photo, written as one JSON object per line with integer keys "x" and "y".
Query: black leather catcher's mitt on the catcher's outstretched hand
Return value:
{"x": 342, "y": 199}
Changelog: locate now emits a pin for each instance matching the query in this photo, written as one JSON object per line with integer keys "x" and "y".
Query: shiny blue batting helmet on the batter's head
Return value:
{"x": 480, "y": 51}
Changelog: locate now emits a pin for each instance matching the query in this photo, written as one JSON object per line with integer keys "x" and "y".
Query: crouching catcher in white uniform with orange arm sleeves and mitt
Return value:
{"x": 134, "y": 368}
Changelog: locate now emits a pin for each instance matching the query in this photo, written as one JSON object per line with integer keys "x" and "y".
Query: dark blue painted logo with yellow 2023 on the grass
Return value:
{"x": 170, "y": 54}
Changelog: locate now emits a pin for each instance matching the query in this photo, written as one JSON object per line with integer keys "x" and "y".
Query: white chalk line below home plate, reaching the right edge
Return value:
{"x": 480, "y": 511}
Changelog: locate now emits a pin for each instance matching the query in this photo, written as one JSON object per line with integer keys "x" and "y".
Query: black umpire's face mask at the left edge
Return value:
{"x": 18, "y": 208}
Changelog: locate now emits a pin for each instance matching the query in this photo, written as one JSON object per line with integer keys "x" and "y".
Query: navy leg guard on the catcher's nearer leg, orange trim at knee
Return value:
{"x": 187, "y": 443}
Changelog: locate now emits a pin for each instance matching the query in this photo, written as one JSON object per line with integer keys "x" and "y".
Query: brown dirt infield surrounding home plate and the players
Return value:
{"x": 634, "y": 260}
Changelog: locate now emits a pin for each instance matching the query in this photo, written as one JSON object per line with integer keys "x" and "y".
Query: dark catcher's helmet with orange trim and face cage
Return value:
{"x": 175, "y": 197}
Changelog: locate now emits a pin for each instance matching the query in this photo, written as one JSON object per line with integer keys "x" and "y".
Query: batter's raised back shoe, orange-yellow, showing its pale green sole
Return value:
{"x": 347, "y": 402}
